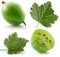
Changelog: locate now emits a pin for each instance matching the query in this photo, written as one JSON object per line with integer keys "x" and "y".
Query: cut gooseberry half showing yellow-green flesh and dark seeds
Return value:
{"x": 42, "y": 41}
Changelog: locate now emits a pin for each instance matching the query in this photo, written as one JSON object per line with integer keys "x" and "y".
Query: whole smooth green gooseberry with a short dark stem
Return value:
{"x": 13, "y": 13}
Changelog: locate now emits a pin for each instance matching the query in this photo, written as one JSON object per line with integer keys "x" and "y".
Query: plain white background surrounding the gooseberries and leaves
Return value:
{"x": 26, "y": 32}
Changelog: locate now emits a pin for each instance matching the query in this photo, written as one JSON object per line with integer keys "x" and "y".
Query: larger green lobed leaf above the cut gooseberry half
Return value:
{"x": 44, "y": 14}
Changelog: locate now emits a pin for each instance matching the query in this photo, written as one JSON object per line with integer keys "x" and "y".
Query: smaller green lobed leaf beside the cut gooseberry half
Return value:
{"x": 15, "y": 44}
